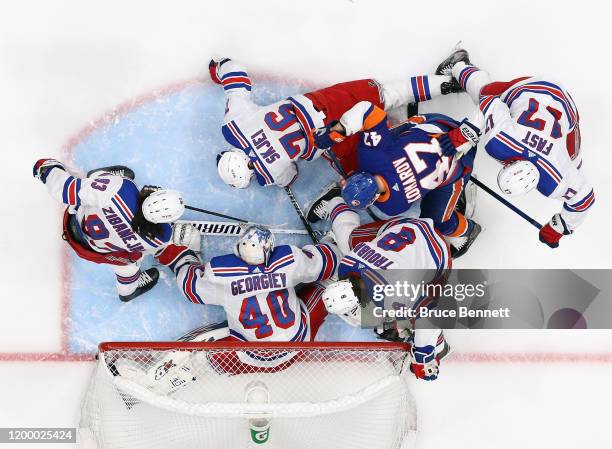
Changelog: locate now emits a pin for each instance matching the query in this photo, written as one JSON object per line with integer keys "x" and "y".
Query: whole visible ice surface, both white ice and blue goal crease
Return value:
{"x": 76, "y": 78}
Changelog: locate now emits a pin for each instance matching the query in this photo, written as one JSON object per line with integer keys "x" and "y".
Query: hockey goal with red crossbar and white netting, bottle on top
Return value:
{"x": 249, "y": 395}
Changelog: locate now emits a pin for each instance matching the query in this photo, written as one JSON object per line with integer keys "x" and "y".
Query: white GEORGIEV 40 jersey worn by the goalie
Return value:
{"x": 260, "y": 301}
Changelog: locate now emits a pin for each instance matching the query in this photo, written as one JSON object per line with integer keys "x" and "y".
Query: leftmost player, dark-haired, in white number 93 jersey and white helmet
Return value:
{"x": 110, "y": 221}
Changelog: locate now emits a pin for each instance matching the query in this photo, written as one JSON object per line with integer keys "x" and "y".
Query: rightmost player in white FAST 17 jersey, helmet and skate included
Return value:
{"x": 532, "y": 128}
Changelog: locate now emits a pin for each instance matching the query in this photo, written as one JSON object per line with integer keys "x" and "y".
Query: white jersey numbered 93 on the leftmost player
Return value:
{"x": 104, "y": 206}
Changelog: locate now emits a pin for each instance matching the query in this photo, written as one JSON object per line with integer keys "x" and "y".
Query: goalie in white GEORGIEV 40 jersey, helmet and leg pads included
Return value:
{"x": 269, "y": 294}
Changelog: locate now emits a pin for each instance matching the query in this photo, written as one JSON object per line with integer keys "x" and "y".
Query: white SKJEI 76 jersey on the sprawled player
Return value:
{"x": 275, "y": 136}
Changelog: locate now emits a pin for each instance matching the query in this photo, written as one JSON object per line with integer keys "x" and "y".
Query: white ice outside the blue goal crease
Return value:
{"x": 63, "y": 64}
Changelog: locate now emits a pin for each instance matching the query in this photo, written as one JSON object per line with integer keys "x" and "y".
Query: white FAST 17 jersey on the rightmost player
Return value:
{"x": 537, "y": 120}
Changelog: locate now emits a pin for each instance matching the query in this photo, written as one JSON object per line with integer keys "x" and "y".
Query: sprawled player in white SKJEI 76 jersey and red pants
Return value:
{"x": 270, "y": 140}
